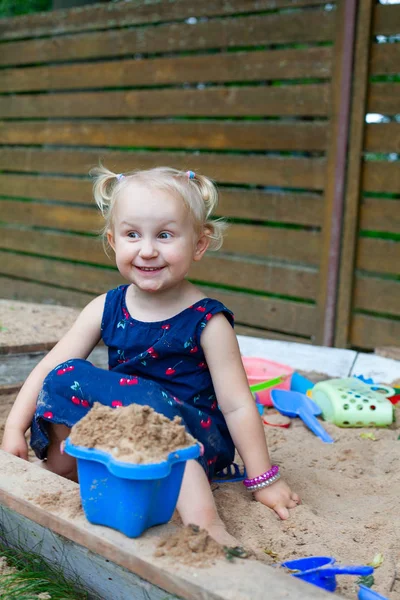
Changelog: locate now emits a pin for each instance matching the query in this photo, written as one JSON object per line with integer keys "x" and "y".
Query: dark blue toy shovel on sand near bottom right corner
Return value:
{"x": 321, "y": 570}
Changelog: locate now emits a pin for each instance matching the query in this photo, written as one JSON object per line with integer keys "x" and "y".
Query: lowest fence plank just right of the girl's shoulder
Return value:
{"x": 283, "y": 316}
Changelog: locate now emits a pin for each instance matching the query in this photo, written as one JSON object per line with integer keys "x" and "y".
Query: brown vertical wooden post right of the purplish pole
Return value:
{"x": 353, "y": 181}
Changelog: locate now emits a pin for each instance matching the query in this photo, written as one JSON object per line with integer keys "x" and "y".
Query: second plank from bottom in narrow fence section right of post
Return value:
{"x": 377, "y": 295}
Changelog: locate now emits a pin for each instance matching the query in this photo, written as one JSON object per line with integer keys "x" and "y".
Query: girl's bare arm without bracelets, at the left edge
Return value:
{"x": 78, "y": 342}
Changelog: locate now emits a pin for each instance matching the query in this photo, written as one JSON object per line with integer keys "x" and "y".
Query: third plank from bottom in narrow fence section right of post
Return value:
{"x": 378, "y": 256}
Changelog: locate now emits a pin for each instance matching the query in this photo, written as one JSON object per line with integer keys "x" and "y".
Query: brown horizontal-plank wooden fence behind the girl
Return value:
{"x": 253, "y": 94}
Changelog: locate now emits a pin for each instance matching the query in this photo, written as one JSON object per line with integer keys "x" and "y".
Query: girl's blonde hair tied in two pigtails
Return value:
{"x": 199, "y": 194}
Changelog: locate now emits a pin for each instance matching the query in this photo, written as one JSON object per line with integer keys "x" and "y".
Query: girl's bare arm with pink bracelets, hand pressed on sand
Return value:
{"x": 239, "y": 409}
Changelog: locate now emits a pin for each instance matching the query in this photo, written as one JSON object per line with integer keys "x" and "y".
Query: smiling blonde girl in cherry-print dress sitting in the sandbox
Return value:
{"x": 169, "y": 346}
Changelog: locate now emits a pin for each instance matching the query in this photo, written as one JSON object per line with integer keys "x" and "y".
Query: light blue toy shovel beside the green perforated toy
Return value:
{"x": 295, "y": 404}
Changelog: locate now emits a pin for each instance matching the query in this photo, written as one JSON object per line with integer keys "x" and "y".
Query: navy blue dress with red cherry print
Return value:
{"x": 160, "y": 364}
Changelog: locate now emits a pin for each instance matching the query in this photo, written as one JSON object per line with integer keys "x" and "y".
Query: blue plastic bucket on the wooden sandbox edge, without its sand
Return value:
{"x": 126, "y": 496}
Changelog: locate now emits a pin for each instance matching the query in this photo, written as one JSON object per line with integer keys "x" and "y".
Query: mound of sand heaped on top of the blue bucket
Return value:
{"x": 135, "y": 434}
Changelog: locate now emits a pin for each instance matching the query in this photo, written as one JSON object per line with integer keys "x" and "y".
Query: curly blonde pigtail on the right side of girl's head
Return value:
{"x": 214, "y": 228}
